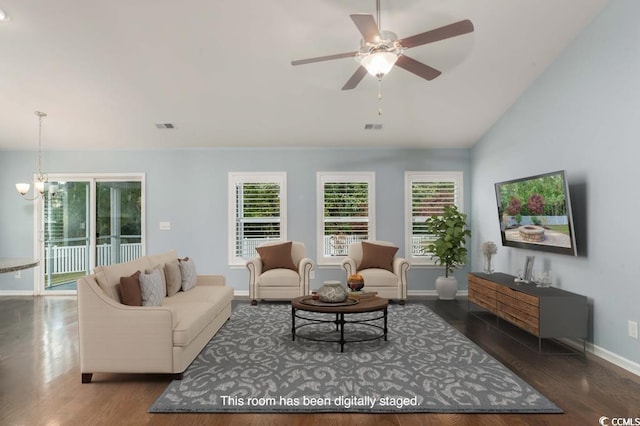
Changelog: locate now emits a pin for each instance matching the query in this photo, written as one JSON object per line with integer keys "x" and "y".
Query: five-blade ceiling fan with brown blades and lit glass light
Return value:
{"x": 381, "y": 50}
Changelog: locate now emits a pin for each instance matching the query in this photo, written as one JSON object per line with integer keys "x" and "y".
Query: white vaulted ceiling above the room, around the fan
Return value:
{"x": 106, "y": 72}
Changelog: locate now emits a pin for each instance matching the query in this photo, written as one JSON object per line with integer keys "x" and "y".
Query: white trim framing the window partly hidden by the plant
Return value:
{"x": 457, "y": 177}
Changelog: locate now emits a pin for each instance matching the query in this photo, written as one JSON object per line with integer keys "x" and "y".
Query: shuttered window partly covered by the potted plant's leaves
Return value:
{"x": 426, "y": 194}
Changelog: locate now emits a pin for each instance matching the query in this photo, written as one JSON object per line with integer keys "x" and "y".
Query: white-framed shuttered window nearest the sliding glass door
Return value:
{"x": 257, "y": 212}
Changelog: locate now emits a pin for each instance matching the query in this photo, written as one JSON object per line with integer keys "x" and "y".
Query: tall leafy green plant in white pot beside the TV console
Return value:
{"x": 450, "y": 232}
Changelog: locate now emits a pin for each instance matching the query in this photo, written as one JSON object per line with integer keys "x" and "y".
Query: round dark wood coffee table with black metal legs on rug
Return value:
{"x": 370, "y": 304}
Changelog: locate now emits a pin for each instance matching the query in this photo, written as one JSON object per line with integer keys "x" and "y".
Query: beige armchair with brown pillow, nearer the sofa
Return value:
{"x": 280, "y": 272}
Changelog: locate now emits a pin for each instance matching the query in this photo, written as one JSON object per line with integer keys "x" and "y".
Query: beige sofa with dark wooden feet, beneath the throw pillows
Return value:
{"x": 117, "y": 338}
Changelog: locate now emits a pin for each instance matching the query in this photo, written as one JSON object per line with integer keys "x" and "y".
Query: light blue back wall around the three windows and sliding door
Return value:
{"x": 189, "y": 189}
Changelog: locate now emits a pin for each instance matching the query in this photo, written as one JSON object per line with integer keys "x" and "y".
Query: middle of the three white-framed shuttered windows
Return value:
{"x": 345, "y": 213}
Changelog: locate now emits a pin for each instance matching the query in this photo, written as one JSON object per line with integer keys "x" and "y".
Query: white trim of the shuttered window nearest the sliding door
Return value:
{"x": 235, "y": 178}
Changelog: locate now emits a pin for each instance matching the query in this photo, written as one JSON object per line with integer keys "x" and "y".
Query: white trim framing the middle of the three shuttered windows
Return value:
{"x": 335, "y": 177}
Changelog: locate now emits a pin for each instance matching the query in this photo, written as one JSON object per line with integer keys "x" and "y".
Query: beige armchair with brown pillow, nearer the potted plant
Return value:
{"x": 382, "y": 270}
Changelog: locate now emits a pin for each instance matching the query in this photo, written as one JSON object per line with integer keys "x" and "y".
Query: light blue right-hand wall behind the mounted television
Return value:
{"x": 582, "y": 115}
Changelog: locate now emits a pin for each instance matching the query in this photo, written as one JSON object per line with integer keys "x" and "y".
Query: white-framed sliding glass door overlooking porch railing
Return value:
{"x": 88, "y": 221}
